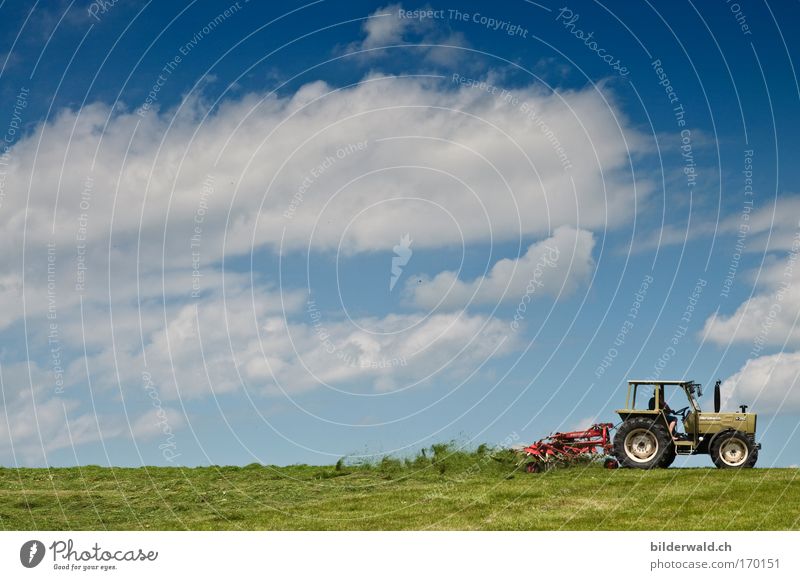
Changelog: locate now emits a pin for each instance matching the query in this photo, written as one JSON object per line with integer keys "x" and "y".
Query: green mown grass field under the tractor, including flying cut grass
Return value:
{"x": 438, "y": 490}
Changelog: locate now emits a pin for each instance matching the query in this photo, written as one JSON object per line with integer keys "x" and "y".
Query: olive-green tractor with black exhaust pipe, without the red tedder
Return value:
{"x": 649, "y": 435}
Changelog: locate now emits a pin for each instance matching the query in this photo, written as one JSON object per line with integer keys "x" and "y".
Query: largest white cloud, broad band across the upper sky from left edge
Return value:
{"x": 446, "y": 163}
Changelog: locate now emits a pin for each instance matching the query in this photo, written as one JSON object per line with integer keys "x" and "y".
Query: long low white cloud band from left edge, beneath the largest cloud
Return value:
{"x": 267, "y": 342}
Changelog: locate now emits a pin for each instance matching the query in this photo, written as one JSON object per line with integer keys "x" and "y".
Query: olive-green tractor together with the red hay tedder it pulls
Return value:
{"x": 649, "y": 435}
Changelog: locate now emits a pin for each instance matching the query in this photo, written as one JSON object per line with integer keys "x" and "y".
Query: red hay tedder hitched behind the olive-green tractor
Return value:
{"x": 569, "y": 448}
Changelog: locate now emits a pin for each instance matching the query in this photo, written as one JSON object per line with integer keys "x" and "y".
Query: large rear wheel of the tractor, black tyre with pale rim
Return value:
{"x": 643, "y": 443}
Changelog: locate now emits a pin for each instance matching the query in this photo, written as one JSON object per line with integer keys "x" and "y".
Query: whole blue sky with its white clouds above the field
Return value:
{"x": 203, "y": 207}
